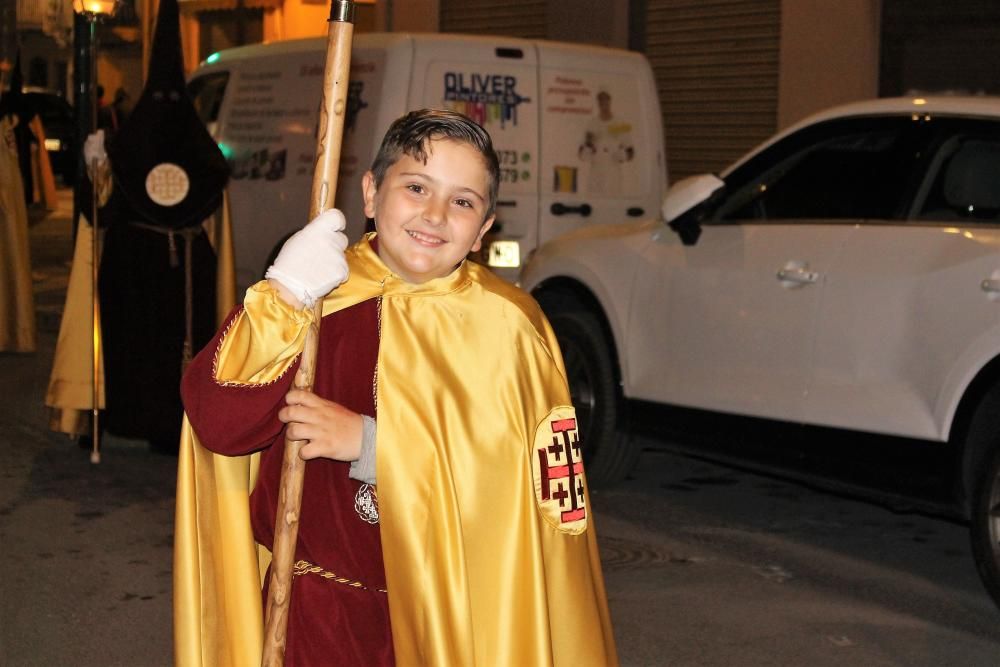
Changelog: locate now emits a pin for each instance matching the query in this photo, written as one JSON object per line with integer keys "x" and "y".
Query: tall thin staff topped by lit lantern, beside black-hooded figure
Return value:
{"x": 92, "y": 11}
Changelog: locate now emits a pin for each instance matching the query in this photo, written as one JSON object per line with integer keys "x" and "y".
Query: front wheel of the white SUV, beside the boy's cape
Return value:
{"x": 609, "y": 452}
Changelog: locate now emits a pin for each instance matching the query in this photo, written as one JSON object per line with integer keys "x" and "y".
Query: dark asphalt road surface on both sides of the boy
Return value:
{"x": 705, "y": 564}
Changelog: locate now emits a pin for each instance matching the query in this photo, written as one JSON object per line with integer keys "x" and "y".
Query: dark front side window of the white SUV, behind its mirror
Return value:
{"x": 851, "y": 169}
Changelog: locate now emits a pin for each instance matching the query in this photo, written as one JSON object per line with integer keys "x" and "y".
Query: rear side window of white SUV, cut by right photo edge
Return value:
{"x": 963, "y": 181}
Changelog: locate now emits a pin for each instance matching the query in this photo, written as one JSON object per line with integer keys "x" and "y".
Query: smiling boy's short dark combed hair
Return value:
{"x": 409, "y": 134}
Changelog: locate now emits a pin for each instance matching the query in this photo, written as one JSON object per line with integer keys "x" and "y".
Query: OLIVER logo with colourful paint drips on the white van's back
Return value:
{"x": 485, "y": 98}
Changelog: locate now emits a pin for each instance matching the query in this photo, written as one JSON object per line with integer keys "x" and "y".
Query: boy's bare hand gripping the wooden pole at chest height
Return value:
{"x": 332, "y": 431}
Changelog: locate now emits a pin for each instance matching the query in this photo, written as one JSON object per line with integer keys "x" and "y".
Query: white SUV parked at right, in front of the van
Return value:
{"x": 844, "y": 274}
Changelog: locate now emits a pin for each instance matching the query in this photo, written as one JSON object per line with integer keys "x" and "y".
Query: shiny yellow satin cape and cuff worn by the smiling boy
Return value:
{"x": 476, "y": 573}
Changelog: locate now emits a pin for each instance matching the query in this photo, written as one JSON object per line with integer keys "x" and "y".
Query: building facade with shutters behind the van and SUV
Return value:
{"x": 729, "y": 72}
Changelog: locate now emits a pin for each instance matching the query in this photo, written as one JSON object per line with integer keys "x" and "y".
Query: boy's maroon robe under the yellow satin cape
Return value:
{"x": 329, "y": 623}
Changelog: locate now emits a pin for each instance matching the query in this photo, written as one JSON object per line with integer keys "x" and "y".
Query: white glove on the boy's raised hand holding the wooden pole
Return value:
{"x": 311, "y": 262}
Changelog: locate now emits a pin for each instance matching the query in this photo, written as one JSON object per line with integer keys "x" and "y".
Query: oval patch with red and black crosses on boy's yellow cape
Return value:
{"x": 557, "y": 464}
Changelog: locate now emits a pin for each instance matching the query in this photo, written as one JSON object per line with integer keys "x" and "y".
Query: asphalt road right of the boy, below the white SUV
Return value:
{"x": 711, "y": 565}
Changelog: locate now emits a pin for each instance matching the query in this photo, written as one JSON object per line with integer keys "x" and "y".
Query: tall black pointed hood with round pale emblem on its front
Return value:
{"x": 164, "y": 161}
